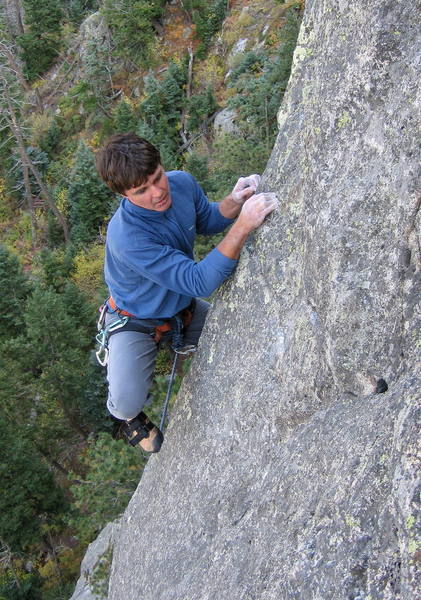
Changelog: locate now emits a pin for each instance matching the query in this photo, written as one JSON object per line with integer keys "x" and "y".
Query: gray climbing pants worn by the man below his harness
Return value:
{"x": 131, "y": 363}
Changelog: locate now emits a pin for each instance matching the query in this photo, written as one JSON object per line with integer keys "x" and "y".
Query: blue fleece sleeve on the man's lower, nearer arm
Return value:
{"x": 172, "y": 269}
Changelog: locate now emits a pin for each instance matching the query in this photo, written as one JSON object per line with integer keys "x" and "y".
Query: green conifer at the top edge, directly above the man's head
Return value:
{"x": 131, "y": 24}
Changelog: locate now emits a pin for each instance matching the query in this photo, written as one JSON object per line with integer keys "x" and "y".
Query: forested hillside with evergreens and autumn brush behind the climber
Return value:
{"x": 73, "y": 72}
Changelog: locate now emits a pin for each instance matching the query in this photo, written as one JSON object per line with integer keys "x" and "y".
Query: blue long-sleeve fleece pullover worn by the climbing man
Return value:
{"x": 149, "y": 266}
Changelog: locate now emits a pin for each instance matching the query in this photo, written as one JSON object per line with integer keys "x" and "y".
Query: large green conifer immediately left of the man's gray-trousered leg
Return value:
{"x": 49, "y": 362}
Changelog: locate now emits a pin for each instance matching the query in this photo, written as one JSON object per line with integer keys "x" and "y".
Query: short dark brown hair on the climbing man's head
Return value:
{"x": 126, "y": 161}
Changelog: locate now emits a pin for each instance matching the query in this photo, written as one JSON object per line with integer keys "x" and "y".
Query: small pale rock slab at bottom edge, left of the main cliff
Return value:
{"x": 97, "y": 557}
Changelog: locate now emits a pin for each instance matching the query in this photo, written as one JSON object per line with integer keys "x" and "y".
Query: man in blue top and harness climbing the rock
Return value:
{"x": 154, "y": 282}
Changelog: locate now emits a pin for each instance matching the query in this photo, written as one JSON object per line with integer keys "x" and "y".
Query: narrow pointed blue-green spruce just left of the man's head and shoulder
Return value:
{"x": 88, "y": 197}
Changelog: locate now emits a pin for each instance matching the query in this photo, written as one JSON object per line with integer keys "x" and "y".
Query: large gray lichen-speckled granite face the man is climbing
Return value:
{"x": 289, "y": 469}
